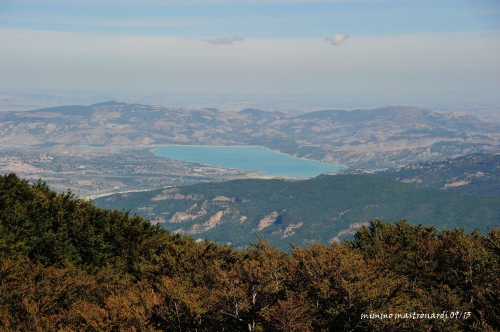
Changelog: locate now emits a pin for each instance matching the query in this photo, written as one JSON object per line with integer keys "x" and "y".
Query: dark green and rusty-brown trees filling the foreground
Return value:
{"x": 67, "y": 265}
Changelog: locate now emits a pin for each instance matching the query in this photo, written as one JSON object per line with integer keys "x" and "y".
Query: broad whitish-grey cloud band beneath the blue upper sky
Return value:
{"x": 106, "y": 62}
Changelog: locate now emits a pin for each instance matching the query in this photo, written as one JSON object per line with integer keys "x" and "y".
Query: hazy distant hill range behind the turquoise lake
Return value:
{"x": 385, "y": 137}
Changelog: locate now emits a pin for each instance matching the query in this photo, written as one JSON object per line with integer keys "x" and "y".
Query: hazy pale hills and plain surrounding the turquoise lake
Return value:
{"x": 107, "y": 147}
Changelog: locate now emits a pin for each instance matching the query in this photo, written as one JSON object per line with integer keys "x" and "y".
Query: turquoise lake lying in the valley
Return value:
{"x": 268, "y": 163}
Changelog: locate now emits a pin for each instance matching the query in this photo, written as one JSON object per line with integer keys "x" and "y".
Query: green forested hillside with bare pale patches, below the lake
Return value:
{"x": 323, "y": 209}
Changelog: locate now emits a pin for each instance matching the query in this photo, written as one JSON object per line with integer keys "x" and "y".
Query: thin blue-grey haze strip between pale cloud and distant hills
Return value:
{"x": 294, "y": 104}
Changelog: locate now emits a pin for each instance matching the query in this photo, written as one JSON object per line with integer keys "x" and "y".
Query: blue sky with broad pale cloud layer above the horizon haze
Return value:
{"x": 355, "y": 48}
